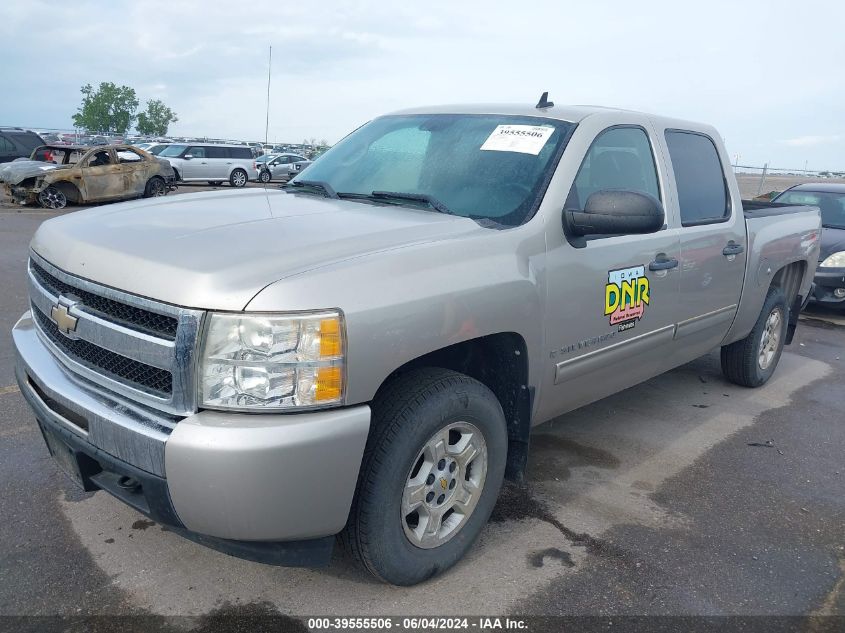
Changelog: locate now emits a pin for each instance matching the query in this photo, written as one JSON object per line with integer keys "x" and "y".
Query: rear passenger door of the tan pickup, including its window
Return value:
{"x": 713, "y": 240}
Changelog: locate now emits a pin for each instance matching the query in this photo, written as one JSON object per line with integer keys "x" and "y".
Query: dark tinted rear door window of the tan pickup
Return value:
{"x": 702, "y": 191}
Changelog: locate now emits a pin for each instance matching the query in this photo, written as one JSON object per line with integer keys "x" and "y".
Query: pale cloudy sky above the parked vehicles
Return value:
{"x": 769, "y": 74}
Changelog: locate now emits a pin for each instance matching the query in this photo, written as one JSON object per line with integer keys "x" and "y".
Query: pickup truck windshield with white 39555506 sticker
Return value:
{"x": 481, "y": 166}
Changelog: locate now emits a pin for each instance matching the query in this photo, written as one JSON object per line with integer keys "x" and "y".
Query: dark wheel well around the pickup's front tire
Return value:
{"x": 500, "y": 362}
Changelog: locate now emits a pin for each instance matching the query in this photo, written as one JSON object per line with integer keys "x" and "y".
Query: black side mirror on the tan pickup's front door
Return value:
{"x": 615, "y": 212}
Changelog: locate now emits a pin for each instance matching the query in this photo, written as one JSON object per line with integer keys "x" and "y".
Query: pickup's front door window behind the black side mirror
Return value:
{"x": 619, "y": 158}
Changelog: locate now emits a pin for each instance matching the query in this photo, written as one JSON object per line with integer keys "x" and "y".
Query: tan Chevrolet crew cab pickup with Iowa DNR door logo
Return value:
{"x": 365, "y": 351}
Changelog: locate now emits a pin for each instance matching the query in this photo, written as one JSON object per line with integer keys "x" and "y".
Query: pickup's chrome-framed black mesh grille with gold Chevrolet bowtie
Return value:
{"x": 133, "y": 346}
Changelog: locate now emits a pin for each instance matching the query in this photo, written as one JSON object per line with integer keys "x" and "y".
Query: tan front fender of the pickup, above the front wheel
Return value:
{"x": 404, "y": 303}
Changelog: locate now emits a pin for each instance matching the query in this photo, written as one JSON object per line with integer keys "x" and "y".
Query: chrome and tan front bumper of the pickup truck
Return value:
{"x": 236, "y": 482}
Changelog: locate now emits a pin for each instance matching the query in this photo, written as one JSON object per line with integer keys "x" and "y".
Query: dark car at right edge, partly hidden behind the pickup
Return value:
{"x": 830, "y": 199}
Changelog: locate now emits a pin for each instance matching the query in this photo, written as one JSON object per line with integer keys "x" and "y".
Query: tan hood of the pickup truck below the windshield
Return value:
{"x": 218, "y": 250}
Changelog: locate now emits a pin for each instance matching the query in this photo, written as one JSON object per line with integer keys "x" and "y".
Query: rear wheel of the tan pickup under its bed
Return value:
{"x": 743, "y": 361}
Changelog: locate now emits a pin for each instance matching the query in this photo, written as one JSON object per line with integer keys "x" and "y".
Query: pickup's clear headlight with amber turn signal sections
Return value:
{"x": 269, "y": 362}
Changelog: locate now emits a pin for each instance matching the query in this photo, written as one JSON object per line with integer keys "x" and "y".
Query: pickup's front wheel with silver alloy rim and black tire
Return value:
{"x": 431, "y": 473}
